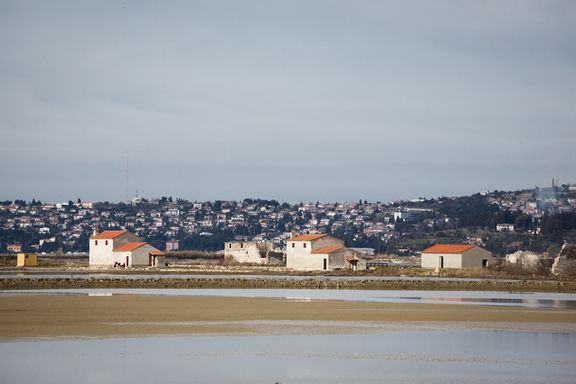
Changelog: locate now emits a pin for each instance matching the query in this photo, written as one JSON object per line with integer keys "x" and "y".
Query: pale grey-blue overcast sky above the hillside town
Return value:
{"x": 294, "y": 100}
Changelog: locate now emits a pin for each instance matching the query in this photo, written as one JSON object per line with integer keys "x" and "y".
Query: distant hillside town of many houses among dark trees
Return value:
{"x": 538, "y": 219}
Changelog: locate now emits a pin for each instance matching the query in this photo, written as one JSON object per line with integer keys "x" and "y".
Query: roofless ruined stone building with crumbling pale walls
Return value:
{"x": 252, "y": 252}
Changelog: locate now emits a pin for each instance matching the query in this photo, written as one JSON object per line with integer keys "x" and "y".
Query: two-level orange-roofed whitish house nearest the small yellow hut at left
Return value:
{"x": 110, "y": 247}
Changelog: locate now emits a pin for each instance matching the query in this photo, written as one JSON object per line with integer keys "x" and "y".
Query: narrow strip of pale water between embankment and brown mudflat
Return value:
{"x": 489, "y": 298}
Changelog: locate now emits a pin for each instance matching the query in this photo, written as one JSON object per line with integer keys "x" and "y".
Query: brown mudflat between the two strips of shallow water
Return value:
{"x": 138, "y": 315}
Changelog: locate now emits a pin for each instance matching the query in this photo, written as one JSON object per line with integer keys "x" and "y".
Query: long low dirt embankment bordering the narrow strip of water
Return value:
{"x": 239, "y": 283}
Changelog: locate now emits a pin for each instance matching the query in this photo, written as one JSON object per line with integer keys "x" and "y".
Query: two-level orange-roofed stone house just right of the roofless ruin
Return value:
{"x": 317, "y": 252}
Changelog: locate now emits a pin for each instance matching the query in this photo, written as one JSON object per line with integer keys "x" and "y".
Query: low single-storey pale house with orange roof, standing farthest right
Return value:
{"x": 455, "y": 256}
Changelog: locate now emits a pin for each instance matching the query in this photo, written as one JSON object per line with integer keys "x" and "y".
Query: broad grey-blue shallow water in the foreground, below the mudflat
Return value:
{"x": 422, "y": 356}
